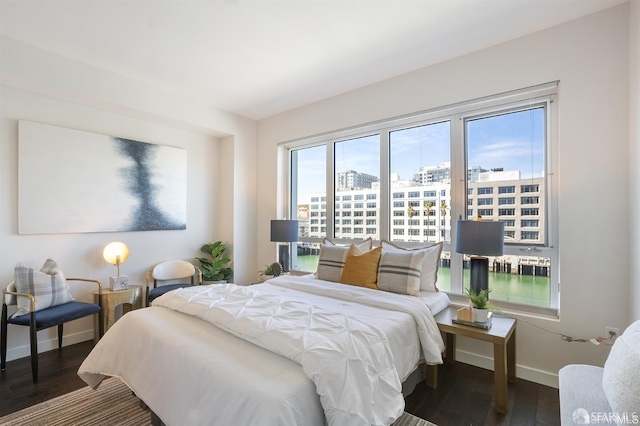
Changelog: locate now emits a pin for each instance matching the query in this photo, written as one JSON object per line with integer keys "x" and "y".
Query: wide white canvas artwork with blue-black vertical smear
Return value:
{"x": 72, "y": 181}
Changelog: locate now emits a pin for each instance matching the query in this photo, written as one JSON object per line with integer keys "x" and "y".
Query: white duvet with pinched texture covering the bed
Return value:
{"x": 356, "y": 345}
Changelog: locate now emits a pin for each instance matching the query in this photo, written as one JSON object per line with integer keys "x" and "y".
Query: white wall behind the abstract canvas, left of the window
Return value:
{"x": 40, "y": 86}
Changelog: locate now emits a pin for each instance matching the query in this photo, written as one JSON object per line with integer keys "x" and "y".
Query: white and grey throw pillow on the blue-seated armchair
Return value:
{"x": 48, "y": 285}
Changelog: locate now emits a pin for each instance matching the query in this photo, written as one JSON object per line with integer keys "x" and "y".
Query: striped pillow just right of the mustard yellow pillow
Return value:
{"x": 399, "y": 271}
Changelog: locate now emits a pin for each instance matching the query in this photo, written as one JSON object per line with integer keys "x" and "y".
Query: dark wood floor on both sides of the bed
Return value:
{"x": 464, "y": 395}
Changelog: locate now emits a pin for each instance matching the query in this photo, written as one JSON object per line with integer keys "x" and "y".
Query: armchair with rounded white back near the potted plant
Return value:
{"x": 166, "y": 273}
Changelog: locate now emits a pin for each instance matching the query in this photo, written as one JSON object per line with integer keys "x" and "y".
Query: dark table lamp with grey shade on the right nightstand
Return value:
{"x": 479, "y": 239}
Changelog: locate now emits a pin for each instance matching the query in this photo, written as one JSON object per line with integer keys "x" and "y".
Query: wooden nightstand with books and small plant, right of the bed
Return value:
{"x": 503, "y": 337}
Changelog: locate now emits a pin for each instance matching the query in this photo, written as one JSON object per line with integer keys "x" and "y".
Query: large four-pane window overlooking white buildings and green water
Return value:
{"x": 418, "y": 172}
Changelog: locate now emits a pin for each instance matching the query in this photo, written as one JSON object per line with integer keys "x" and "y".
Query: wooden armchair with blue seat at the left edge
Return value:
{"x": 44, "y": 318}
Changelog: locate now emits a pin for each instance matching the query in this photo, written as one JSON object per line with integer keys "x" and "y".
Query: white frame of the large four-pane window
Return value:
{"x": 457, "y": 114}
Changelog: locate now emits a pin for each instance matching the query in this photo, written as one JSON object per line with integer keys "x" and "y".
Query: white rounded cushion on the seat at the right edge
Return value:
{"x": 622, "y": 372}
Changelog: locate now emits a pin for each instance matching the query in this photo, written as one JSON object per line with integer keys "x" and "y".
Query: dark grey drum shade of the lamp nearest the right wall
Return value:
{"x": 482, "y": 238}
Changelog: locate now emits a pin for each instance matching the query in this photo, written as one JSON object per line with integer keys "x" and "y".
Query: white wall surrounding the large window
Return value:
{"x": 589, "y": 57}
